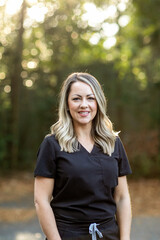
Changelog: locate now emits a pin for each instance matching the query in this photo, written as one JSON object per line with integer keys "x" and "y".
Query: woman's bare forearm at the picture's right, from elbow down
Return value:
{"x": 124, "y": 217}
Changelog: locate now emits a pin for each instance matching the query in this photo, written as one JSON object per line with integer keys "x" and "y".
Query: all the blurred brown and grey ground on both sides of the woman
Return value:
{"x": 18, "y": 219}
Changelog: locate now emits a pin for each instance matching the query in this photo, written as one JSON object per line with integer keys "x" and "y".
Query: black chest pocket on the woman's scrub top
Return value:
{"x": 109, "y": 171}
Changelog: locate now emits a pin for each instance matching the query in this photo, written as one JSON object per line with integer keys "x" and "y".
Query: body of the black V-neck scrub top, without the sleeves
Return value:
{"x": 84, "y": 185}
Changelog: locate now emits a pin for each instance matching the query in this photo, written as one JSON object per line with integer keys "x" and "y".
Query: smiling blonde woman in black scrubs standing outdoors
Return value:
{"x": 80, "y": 178}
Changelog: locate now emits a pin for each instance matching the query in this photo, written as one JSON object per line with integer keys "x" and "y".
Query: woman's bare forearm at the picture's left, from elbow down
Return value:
{"x": 47, "y": 221}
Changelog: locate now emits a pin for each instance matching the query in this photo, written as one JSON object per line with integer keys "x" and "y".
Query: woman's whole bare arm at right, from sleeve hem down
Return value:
{"x": 123, "y": 203}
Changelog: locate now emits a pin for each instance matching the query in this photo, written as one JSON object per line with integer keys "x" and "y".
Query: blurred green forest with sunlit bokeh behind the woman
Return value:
{"x": 41, "y": 42}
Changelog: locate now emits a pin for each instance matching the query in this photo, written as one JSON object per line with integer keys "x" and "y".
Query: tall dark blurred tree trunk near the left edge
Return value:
{"x": 15, "y": 91}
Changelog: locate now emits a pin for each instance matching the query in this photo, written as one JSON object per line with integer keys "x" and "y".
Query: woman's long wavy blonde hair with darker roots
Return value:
{"x": 102, "y": 129}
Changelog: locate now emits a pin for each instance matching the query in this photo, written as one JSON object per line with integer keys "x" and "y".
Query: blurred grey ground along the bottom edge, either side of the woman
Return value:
{"x": 143, "y": 228}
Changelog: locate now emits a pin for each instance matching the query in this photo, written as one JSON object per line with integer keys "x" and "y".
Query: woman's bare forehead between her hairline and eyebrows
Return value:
{"x": 80, "y": 88}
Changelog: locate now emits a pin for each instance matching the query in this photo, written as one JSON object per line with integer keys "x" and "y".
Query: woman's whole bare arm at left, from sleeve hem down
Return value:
{"x": 43, "y": 189}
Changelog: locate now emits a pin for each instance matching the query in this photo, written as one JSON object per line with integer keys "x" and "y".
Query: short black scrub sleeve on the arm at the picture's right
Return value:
{"x": 121, "y": 155}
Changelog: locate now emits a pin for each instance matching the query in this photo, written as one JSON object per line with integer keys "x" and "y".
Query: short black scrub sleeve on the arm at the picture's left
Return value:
{"x": 46, "y": 164}
